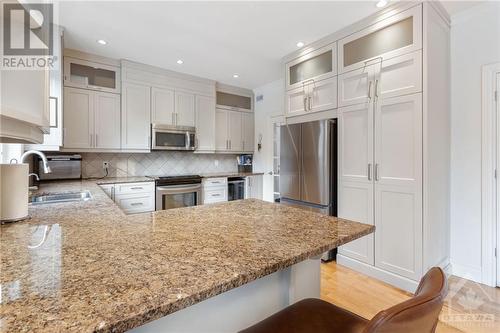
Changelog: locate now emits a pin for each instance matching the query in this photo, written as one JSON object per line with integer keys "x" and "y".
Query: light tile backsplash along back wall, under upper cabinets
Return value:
{"x": 156, "y": 163}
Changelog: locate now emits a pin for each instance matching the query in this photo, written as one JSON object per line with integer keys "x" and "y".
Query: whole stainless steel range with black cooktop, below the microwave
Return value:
{"x": 177, "y": 191}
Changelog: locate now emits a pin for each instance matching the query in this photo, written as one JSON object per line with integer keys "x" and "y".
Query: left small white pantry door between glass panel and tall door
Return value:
{"x": 356, "y": 87}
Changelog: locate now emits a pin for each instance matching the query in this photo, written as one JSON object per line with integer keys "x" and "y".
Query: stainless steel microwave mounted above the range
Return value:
{"x": 168, "y": 137}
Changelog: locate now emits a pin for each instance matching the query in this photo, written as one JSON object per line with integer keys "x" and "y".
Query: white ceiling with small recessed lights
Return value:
{"x": 214, "y": 39}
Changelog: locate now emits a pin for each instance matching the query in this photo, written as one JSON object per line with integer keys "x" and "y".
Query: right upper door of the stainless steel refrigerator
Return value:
{"x": 315, "y": 167}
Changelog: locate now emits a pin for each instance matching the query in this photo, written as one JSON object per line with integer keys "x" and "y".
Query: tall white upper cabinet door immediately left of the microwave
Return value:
{"x": 136, "y": 116}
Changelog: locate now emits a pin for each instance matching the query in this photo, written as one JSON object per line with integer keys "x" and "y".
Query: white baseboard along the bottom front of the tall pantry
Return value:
{"x": 379, "y": 274}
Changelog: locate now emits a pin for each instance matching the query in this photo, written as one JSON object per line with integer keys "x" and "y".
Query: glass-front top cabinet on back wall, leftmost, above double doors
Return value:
{"x": 89, "y": 73}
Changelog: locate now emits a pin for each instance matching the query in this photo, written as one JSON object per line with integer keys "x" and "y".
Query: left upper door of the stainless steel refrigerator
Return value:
{"x": 290, "y": 161}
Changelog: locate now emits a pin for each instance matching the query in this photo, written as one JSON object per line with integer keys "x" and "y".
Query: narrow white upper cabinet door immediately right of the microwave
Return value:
{"x": 205, "y": 123}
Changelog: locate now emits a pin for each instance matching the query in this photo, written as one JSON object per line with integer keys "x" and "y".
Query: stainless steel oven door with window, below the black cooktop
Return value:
{"x": 177, "y": 196}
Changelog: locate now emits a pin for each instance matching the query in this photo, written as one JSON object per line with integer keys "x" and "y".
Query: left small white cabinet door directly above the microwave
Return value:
{"x": 162, "y": 106}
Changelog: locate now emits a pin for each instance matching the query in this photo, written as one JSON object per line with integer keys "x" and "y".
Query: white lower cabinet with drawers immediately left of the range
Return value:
{"x": 132, "y": 197}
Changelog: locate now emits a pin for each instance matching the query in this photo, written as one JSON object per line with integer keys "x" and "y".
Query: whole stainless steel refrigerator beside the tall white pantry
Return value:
{"x": 308, "y": 166}
